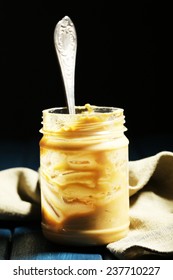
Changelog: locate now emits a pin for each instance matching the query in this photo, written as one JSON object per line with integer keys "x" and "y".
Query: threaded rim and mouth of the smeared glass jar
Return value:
{"x": 88, "y": 118}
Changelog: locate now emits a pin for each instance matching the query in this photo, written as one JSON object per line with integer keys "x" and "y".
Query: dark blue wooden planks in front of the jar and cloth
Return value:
{"x": 26, "y": 242}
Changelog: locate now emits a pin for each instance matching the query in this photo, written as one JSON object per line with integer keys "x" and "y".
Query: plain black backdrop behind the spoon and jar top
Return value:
{"x": 123, "y": 60}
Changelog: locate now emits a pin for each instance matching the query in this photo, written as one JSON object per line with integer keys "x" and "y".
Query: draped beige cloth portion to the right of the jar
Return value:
{"x": 151, "y": 208}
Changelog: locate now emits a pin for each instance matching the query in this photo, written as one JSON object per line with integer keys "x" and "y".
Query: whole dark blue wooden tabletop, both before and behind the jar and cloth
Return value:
{"x": 24, "y": 240}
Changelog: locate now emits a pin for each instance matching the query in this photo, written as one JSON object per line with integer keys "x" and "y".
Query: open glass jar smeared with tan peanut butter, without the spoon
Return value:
{"x": 84, "y": 175}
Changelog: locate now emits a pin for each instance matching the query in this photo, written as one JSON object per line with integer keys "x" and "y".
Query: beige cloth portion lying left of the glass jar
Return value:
{"x": 19, "y": 194}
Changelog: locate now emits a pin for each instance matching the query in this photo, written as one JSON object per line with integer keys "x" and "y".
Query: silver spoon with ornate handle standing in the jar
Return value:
{"x": 65, "y": 41}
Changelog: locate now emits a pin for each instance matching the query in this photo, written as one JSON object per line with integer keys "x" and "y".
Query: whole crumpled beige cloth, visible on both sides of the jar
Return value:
{"x": 151, "y": 204}
